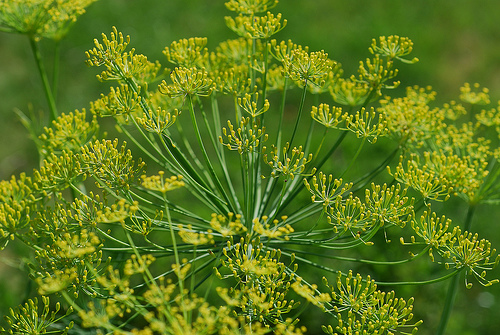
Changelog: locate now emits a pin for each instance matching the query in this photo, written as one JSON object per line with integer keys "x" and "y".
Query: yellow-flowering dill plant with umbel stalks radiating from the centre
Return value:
{"x": 243, "y": 191}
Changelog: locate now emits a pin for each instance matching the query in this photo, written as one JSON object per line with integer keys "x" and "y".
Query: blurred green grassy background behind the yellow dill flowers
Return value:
{"x": 456, "y": 42}
